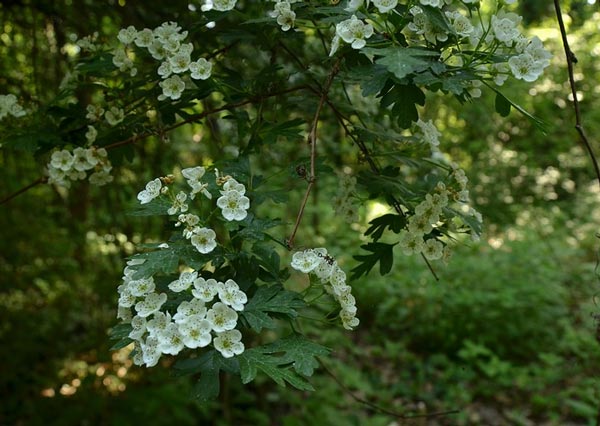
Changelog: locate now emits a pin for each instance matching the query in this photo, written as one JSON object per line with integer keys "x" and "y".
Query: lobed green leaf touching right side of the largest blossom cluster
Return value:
{"x": 271, "y": 300}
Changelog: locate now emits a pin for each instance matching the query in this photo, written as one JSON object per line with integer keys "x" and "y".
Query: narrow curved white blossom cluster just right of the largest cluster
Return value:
{"x": 318, "y": 263}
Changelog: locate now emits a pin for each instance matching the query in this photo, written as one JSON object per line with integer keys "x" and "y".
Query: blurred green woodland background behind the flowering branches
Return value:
{"x": 507, "y": 336}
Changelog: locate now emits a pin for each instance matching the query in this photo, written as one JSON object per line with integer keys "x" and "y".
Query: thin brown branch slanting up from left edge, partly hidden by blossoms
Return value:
{"x": 188, "y": 120}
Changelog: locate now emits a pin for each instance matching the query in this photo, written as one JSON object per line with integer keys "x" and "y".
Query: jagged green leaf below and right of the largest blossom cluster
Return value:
{"x": 287, "y": 360}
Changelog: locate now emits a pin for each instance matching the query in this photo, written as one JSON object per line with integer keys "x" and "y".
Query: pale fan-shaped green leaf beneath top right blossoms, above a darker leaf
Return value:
{"x": 402, "y": 61}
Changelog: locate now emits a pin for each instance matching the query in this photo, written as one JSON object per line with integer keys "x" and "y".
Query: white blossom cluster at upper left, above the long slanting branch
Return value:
{"x": 166, "y": 44}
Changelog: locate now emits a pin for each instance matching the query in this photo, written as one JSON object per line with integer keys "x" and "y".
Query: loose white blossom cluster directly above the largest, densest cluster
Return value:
{"x": 232, "y": 202}
